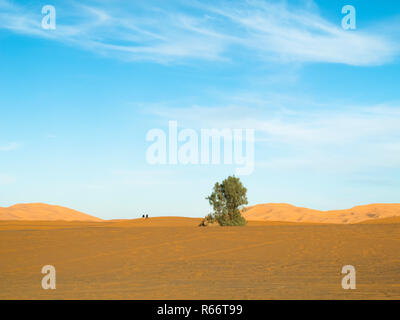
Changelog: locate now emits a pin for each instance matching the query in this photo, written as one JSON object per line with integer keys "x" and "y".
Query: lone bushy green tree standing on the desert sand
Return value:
{"x": 227, "y": 199}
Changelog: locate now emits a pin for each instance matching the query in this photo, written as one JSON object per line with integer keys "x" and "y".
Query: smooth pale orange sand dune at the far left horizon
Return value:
{"x": 43, "y": 212}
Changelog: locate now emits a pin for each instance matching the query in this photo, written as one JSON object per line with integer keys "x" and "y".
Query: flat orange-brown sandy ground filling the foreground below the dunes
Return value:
{"x": 172, "y": 258}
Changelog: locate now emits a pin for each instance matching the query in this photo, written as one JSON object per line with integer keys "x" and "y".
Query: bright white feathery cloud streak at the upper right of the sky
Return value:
{"x": 287, "y": 34}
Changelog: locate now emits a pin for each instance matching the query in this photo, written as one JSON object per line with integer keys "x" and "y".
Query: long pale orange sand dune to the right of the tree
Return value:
{"x": 290, "y": 213}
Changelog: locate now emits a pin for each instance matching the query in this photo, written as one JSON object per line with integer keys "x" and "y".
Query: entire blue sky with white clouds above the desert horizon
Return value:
{"x": 76, "y": 102}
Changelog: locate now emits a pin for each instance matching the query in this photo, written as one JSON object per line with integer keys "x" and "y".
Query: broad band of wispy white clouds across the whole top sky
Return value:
{"x": 177, "y": 32}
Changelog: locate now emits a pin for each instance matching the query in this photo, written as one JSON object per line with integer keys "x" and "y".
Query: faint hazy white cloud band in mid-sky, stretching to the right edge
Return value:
{"x": 293, "y": 126}
